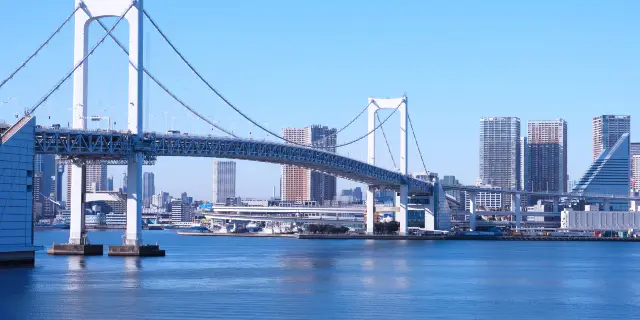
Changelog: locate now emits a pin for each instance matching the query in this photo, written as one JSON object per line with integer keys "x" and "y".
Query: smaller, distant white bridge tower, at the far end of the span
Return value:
{"x": 402, "y": 197}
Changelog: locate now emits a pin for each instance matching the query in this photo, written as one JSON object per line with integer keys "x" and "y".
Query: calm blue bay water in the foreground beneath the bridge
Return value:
{"x": 269, "y": 278}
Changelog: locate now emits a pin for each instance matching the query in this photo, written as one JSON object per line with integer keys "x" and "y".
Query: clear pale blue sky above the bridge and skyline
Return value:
{"x": 296, "y": 63}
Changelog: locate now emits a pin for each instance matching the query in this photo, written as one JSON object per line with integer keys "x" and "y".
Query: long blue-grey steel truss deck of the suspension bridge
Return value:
{"x": 104, "y": 145}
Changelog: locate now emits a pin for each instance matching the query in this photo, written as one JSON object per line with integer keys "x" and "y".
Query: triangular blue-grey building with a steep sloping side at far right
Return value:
{"x": 609, "y": 174}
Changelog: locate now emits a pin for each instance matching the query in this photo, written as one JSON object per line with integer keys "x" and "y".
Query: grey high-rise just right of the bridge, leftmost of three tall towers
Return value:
{"x": 500, "y": 152}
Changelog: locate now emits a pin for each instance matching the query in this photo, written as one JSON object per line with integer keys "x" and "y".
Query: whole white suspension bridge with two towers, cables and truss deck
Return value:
{"x": 134, "y": 147}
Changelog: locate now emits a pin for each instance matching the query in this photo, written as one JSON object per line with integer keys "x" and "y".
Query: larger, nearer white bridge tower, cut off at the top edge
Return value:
{"x": 92, "y": 10}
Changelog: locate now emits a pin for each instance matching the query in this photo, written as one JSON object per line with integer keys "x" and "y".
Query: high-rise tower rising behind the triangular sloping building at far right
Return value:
{"x": 607, "y": 129}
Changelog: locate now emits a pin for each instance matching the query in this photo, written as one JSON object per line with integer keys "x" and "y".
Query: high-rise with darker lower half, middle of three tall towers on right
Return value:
{"x": 547, "y": 156}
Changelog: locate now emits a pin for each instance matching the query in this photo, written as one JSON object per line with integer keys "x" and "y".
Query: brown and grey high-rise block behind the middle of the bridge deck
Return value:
{"x": 299, "y": 184}
